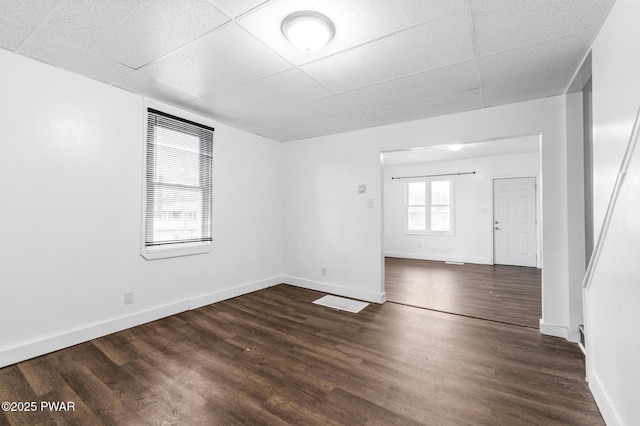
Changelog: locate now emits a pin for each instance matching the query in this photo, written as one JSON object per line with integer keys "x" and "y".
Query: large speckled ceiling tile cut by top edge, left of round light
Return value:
{"x": 133, "y": 33}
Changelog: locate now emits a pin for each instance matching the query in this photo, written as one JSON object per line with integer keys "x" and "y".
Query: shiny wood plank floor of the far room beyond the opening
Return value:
{"x": 509, "y": 294}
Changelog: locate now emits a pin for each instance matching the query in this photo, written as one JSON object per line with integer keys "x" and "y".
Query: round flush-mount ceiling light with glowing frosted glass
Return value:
{"x": 308, "y": 31}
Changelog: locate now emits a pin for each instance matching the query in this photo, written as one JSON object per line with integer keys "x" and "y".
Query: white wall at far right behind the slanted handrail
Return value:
{"x": 611, "y": 303}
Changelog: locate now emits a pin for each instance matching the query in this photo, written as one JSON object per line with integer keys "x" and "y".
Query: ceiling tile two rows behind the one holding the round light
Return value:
{"x": 425, "y": 85}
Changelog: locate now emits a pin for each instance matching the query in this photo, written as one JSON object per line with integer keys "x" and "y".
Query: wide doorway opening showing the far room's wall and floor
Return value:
{"x": 457, "y": 272}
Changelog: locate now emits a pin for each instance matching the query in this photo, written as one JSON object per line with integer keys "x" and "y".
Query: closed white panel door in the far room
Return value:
{"x": 514, "y": 221}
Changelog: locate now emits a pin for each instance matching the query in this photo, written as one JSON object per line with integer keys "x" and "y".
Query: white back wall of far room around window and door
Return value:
{"x": 473, "y": 239}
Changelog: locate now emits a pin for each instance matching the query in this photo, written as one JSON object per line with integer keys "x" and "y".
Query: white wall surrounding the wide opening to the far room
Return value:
{"x": 328, "y": 222}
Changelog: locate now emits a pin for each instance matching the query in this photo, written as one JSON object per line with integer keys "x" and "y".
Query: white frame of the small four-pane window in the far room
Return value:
{"x": 428, "y": 205}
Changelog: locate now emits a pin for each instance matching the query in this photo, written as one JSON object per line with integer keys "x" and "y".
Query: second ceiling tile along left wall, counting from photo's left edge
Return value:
{"x": 71, "y": 58}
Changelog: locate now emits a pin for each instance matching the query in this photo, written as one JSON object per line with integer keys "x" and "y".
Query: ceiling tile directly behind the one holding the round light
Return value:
{"x": 436, "y": 43}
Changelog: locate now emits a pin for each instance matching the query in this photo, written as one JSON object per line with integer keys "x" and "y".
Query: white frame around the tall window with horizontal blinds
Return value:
{"x": 152, "y": 252}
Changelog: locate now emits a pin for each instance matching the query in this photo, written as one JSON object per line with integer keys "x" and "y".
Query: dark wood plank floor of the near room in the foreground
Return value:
{"x": 272, "y": 357}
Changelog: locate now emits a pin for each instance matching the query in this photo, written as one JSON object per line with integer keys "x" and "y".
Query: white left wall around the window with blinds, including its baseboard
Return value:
{"x": 71, "y": 171}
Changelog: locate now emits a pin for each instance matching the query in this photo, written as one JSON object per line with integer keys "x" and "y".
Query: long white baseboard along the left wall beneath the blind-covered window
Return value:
{"x": 32, "y": 349}
